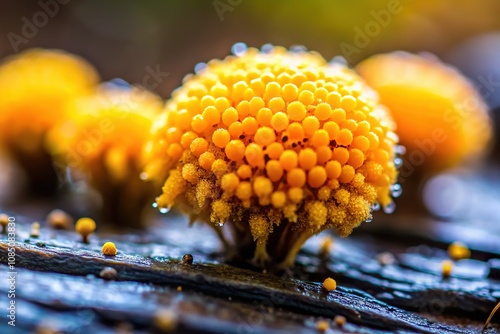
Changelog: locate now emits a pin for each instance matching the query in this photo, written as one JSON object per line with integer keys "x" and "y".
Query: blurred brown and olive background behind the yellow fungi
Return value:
{"x": 164, "y": 40}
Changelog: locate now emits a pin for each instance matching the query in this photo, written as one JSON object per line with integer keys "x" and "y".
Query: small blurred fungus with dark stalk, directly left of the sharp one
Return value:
{"x": 105, "y": 139}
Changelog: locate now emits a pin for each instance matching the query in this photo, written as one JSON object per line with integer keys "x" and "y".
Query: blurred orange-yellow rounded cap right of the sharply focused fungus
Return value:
{"x": 441, "y": 119}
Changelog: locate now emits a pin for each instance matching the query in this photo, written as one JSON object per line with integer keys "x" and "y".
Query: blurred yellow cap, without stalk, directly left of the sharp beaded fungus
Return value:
{"x": 106, "y": 133}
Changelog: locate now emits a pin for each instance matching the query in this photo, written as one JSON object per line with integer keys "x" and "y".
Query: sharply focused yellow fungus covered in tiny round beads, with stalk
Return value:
{"x": 293, "y": 131}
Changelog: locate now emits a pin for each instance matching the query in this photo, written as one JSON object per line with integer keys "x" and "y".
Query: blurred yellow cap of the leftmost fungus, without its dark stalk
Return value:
{"x": 37, "y": 87}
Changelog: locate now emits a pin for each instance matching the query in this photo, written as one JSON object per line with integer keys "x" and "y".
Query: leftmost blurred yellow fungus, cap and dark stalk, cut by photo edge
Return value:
{"x": 38, "y": 88}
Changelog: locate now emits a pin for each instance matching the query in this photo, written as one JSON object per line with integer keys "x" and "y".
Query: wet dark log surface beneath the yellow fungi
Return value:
{"x": 58, "y": 283}
